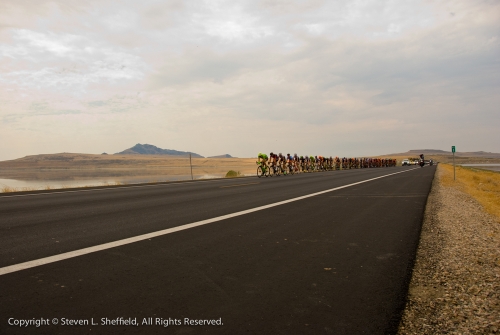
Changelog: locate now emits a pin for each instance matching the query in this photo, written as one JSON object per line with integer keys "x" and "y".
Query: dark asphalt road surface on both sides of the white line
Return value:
{"x": 335, "y": 263}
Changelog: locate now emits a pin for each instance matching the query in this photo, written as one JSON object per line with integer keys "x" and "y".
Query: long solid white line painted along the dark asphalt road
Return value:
{"x": 85, "y": 251}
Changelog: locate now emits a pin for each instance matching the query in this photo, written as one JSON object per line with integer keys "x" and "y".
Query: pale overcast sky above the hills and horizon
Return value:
{"x": 346, "y": 78}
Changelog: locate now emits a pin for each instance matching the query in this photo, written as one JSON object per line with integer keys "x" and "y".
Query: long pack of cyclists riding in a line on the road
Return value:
{"x": 278, "y": 164}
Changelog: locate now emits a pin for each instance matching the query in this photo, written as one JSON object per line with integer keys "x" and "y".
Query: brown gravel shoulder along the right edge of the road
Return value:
{"x": 455, "y": 285}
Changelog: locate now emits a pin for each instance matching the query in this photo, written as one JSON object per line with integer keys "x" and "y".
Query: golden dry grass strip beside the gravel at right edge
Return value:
{"x": 483, "y": 185}
